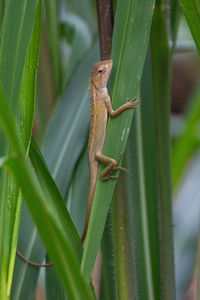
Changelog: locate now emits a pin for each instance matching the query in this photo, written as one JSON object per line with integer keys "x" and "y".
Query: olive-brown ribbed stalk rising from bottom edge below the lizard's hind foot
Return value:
{"x": 123, "y": 256}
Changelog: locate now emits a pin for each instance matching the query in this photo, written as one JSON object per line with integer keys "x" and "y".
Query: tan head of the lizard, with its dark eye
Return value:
{"x": 100, "y": 73}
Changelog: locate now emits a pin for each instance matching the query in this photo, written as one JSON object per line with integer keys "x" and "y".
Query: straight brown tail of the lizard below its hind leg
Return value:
{"x": 89, "y": 206}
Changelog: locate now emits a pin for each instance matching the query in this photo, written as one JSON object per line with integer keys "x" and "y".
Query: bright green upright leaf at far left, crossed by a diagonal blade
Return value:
{"x": 18, "y": 64}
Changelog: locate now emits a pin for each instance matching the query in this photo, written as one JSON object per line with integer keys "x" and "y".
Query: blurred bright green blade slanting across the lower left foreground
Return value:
{"x": 57, "y": 242}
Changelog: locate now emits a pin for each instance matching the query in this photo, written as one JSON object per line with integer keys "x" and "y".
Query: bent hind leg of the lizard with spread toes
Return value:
{"x": 112, "y": 163}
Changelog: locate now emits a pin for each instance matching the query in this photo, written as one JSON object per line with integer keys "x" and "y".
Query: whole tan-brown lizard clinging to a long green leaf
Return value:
{"x": 100, "y": 107}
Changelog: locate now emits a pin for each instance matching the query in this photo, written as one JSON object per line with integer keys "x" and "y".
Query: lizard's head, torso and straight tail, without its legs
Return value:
{"x": 98, "y": 121}
